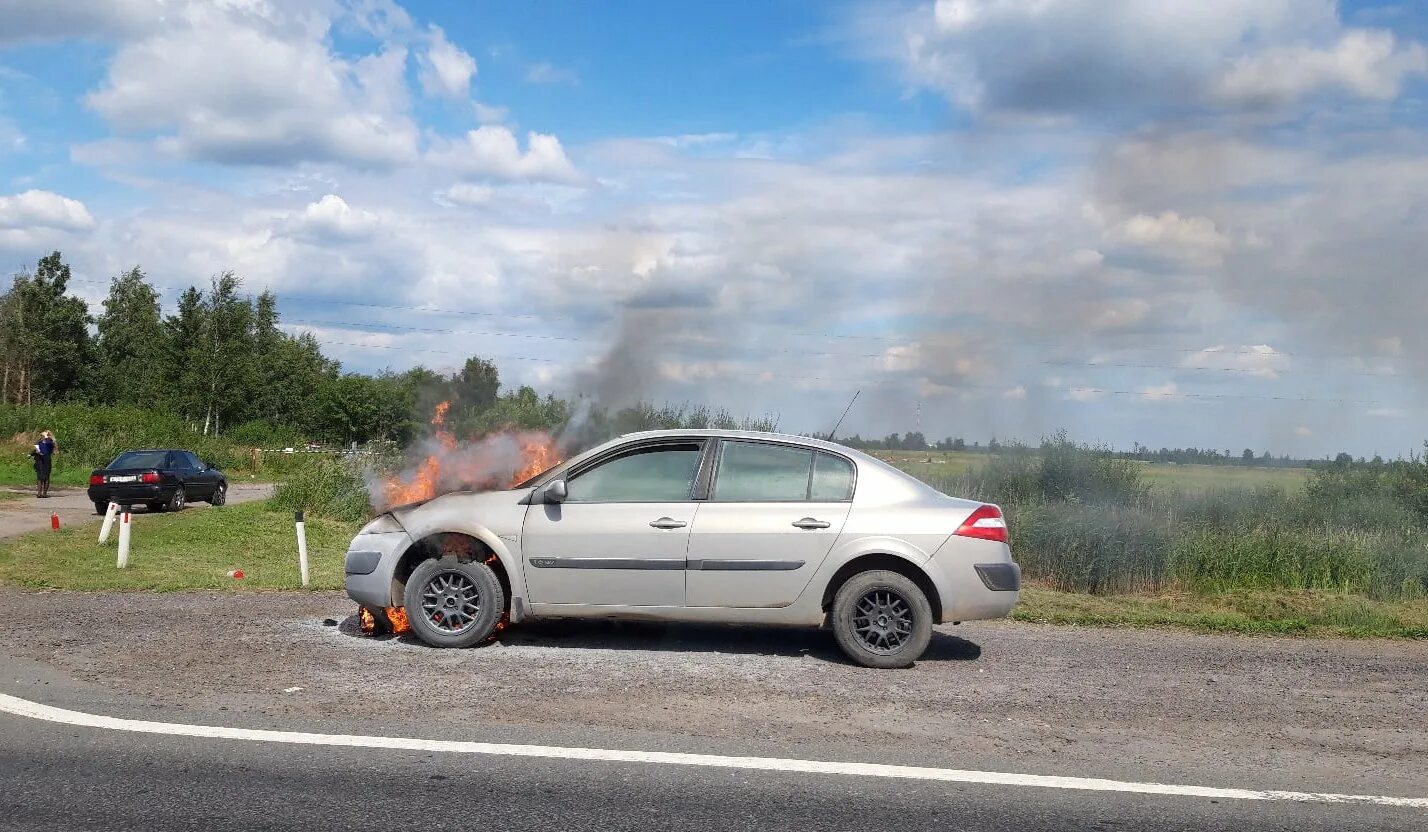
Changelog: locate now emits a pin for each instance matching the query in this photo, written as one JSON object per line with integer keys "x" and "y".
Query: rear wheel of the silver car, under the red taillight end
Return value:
{"x": 882, "y": 620}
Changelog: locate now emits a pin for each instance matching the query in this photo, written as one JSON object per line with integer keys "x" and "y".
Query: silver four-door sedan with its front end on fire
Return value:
{"x": 695, "y": 526}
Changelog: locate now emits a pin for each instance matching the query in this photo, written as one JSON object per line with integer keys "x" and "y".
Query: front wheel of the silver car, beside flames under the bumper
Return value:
{"x": 453, "y": 604}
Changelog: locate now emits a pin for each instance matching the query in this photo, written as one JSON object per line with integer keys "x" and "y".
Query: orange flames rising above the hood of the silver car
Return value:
{"x": 448, "y": 469}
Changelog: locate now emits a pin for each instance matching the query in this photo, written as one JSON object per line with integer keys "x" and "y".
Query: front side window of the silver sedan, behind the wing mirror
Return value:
{"x": 650, "y": 475}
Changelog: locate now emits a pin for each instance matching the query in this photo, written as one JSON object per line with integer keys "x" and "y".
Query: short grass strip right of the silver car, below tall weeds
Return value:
{"x": 1263, "y": 613}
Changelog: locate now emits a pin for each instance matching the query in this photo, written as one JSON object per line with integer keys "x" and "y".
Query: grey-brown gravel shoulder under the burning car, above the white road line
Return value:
{"x": 1150, "y": 706}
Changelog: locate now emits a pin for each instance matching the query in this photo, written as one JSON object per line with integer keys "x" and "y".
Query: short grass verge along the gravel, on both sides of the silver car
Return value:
{"x": 196, "y": 550}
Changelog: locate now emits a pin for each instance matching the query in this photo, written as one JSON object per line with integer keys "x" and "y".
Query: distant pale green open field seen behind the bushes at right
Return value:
{"x": 1180, "y": 479}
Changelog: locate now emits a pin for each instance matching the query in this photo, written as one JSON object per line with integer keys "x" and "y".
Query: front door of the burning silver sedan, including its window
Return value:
{"x": 622, "y": 534}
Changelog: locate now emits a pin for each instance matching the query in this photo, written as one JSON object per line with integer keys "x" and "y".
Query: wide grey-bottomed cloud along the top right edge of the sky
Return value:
{"x": 1089, "y": 56}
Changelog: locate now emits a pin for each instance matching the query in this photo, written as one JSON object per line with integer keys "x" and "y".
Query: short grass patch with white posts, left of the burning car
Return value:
{"x": 192, "y": 550}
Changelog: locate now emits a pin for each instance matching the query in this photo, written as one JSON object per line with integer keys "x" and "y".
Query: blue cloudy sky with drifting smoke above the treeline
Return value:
{"x": 1186, "y": 225}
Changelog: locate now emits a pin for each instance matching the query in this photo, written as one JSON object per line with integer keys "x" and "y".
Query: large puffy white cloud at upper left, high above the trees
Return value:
{"x": 256, "y": 85}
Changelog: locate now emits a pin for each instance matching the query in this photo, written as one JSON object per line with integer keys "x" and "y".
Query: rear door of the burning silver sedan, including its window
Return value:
{"x": 773, "y": 516}
